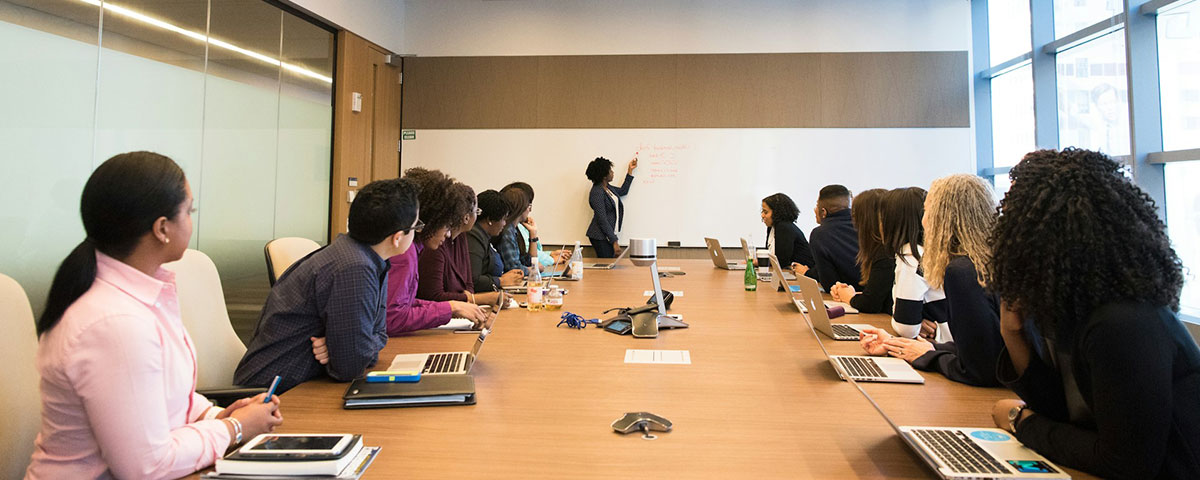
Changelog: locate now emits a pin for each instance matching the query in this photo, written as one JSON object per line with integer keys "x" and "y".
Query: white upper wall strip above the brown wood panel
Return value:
{"x": 463, "y": 28}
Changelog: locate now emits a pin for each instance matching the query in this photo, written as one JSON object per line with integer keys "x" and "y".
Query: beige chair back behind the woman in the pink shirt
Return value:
{"x": 21, "y": 404}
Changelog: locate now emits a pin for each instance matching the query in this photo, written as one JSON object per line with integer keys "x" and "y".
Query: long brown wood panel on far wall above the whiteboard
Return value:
{"x": 861, "y": 91}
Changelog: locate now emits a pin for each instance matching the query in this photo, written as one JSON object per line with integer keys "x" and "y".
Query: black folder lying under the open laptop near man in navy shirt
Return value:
{"x": 430, "y": 392}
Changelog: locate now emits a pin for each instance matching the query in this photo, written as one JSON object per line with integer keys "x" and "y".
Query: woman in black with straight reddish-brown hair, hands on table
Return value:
{"x": 877, "y": 266}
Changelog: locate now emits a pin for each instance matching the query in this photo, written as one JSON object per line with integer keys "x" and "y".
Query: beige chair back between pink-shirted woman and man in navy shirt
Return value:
{"x": 203, "y": 308}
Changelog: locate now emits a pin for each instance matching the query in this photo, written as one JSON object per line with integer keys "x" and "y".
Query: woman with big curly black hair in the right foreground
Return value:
{"x": 1108, "y": 376}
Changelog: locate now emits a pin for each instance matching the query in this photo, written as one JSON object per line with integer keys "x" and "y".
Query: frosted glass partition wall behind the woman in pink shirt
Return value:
{"x": 238, "y": 93}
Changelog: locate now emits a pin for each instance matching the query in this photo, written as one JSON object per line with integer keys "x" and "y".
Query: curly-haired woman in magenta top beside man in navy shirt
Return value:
{"x": 442, "y": 212}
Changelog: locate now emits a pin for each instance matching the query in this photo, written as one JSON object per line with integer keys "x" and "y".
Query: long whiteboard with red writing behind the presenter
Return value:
{"x": 691, "y": 183}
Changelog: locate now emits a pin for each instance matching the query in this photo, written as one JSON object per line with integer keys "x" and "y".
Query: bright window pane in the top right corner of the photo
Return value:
{"x": 1179, "y": 63}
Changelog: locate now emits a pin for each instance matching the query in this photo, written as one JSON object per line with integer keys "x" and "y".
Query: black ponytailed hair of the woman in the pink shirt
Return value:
{"x": 119, "y": 205}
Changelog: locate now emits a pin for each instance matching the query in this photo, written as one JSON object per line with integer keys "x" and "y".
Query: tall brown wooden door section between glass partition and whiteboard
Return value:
{"x": 365, "y": 143}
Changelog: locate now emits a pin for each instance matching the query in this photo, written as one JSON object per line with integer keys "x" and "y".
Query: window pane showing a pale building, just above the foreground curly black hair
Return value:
{"x": 1094, "y": 100}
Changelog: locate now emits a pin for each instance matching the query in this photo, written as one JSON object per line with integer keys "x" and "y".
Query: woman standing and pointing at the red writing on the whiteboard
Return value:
{"x": 608, "y": 212}
